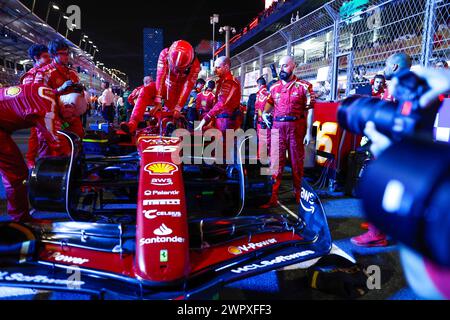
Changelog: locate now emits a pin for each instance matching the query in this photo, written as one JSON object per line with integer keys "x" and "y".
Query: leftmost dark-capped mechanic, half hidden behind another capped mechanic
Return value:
{"x": 40, "y": 56}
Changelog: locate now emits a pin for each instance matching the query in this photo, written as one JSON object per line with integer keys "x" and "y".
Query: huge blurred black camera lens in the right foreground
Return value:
{"x": 406, "y": 194}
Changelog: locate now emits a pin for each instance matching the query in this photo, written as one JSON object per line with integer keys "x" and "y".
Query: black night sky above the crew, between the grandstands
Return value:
{"x": 116, "y": 27}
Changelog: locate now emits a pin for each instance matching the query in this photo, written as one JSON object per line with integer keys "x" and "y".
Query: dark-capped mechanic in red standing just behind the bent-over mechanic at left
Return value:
{"x": 61, "y": 78}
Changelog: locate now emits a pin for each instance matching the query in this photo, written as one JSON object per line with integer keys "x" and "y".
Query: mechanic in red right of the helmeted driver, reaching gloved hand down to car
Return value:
{"x": 228, "y": 97}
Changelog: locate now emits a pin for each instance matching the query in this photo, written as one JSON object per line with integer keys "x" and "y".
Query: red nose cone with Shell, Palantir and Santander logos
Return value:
{"x": 162, "y": 241}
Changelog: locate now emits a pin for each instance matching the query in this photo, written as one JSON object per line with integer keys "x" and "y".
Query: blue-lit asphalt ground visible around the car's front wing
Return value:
{"x": 344, "y": 217}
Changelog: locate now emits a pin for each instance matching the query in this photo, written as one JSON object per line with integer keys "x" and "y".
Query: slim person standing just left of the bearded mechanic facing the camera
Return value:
{"x": 263, "y": 131}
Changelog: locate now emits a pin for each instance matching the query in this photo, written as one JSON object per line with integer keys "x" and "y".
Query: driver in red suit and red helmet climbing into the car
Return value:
{"x": 178, "y": 70}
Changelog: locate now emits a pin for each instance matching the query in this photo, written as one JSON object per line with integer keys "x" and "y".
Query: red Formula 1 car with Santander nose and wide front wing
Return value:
{"x": 144, "y": 226}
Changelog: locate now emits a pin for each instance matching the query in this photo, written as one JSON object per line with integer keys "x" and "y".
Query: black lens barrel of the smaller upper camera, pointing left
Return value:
{"x": 354, "y": 112}
